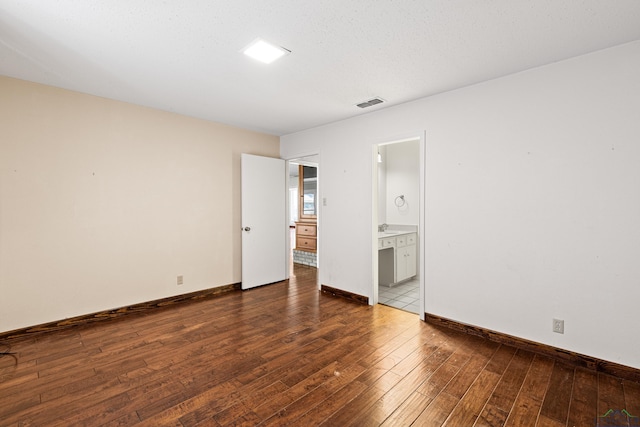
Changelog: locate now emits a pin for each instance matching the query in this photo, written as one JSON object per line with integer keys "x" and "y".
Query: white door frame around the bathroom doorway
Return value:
{"x": 410, "y": 136}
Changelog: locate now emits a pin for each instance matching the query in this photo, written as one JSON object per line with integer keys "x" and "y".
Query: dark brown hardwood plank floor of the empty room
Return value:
{"x": 285, "y": 354}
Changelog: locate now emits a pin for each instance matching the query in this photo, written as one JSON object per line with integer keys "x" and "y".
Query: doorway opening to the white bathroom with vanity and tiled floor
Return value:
{"x": 398, "y": 214}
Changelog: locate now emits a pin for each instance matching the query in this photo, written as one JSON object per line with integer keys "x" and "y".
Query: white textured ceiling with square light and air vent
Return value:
{"x": 184, "y": 55}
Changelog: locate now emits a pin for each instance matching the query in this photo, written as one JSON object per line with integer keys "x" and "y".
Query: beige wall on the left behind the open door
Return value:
{"x": 103, "y": 203}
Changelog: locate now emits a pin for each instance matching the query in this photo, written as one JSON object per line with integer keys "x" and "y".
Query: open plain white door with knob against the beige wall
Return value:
{"x": 264, "y": 220}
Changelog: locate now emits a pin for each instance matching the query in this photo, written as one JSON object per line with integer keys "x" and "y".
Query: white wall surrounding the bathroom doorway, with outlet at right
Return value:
{"x": 533, "y": 208}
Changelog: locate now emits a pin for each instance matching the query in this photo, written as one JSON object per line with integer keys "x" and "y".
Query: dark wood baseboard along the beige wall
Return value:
{"x": 118, "y": 312}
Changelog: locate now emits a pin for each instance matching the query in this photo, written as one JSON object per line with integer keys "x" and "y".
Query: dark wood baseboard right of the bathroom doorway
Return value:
{"x": 588, "y": 362}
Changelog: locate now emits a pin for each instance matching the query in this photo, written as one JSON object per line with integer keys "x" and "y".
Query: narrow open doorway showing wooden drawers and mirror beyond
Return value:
{"x": 303, "y": 211}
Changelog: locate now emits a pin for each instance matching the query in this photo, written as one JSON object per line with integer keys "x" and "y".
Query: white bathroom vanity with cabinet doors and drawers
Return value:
{"x": 396, "y": 256}
